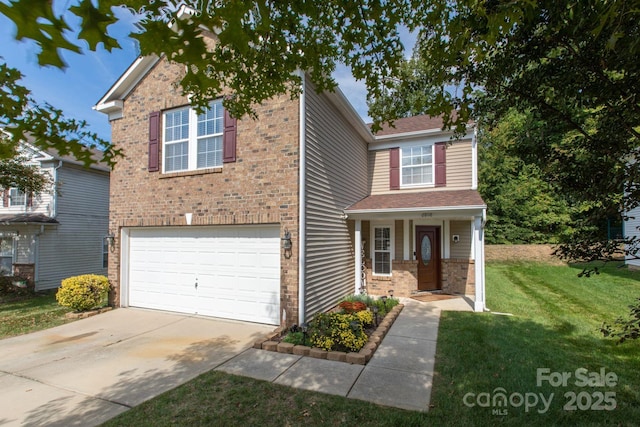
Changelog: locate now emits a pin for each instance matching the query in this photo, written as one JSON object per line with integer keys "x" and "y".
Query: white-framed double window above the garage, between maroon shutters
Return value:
{"x": 191, "y": 140}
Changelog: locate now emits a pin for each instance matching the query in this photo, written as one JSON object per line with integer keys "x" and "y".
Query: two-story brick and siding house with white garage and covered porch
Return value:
{"x": 266, "y": 220}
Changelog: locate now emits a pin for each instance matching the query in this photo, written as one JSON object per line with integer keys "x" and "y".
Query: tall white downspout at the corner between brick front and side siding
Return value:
{"x": 302, "y": 201}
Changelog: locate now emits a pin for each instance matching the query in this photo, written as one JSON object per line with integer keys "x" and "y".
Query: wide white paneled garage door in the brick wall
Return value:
{"x": 229, "y": 272}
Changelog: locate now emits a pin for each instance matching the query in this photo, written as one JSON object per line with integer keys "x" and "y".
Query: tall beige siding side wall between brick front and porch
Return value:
{"x": 336, "y": 177}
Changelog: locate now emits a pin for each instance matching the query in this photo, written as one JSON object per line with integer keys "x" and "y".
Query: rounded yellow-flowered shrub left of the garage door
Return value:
{"x": 83, "y": 292}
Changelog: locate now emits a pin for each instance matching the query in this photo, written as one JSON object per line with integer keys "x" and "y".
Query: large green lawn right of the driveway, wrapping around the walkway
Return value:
{"x": 554, "y": 324}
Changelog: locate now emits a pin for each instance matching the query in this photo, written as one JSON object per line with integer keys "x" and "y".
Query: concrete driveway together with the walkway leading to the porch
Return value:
{"x": 86, "y": 372}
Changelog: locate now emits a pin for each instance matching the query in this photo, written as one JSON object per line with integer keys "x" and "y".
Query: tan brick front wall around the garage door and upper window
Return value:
{"x": 261, "y": 187}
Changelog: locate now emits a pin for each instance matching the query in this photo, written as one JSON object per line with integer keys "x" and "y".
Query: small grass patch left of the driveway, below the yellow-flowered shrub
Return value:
{"x": 29, "y": 314}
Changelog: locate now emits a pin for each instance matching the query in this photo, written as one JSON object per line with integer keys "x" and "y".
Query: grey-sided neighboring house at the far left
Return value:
{"x": 48, "y": 237}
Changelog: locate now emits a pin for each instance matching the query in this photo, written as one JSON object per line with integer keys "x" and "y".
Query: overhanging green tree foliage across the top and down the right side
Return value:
{"x": 572, "y": 65}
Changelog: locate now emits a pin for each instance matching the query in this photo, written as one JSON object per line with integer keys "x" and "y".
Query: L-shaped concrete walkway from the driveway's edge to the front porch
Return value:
{"x": 399, "y": 374}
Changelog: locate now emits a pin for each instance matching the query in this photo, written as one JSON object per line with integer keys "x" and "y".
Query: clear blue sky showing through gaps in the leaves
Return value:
{"x": 89, "y": 76}
